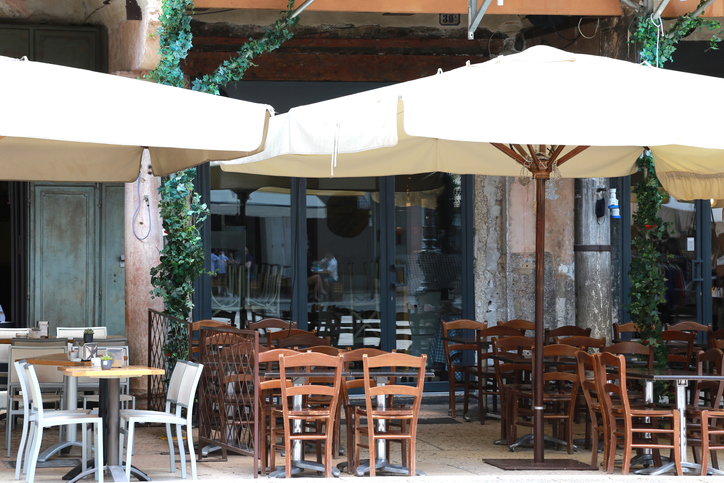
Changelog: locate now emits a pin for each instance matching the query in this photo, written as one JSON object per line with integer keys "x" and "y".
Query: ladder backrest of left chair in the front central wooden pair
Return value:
{"x": 308, "y": 362}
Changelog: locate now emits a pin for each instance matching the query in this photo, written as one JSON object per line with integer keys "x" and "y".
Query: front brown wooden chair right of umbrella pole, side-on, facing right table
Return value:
{"x": 622, "y": 421}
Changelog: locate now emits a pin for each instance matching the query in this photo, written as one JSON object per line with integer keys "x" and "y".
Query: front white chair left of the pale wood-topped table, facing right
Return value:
{"x": 42, "y": 419}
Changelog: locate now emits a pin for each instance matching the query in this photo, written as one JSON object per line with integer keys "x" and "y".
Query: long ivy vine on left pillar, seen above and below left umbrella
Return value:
{"x": 182, "y": 259}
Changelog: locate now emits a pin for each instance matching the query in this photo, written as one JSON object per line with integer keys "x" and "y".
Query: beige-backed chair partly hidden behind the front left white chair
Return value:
{"x": 51, "y": 379}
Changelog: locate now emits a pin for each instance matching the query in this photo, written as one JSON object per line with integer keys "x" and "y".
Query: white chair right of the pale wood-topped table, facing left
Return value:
{"x": 184, "y": 380}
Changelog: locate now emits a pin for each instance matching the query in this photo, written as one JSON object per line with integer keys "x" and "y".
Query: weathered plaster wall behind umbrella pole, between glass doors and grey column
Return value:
{"x": 505, "y": 251}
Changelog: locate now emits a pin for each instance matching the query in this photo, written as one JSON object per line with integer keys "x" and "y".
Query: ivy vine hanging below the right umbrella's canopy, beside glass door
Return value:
{"x": 648, "y": 288}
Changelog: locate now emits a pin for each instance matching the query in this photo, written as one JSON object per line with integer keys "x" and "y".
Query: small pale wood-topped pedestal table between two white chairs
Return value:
{"x": 110, "y": 410}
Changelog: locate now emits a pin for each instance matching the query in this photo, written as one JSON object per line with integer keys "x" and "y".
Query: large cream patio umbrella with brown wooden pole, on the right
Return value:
{"x": 540, "y": 113}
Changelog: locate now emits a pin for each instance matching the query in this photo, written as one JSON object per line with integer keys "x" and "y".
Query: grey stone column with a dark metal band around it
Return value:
{"x": 592, "y": 247}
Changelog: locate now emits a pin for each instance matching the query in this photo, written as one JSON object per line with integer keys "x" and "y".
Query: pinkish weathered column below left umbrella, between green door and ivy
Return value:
{"x": 144, "y": 241}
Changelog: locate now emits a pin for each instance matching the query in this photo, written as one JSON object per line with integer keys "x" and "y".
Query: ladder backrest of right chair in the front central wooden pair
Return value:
{"x": 400, "y": 362}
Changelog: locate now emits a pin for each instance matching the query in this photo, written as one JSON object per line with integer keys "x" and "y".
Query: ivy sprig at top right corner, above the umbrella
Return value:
{"x": 656, "y": 46}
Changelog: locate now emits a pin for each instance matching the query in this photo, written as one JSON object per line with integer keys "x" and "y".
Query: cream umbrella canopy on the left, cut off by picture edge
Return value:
{"x": 64, "y": 124}
